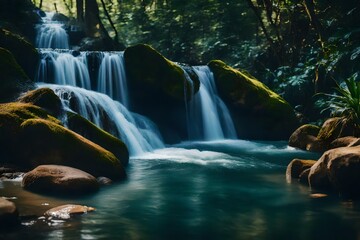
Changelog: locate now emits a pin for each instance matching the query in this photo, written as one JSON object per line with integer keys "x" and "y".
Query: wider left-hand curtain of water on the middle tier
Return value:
{"x": 64, "y": 68}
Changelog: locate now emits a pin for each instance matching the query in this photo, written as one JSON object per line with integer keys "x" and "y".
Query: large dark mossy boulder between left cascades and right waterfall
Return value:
{"x": 158, "y": 87}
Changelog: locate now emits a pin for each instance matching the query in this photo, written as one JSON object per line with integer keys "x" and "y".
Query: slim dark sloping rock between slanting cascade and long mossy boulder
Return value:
{"x": 90, "y": 131}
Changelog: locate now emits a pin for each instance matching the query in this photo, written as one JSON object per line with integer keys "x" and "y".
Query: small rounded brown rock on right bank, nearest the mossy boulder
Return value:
{"x": 302, "y": 136}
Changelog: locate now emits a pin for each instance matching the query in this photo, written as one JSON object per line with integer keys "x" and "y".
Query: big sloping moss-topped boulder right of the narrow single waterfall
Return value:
{"x": 258, "y": 112}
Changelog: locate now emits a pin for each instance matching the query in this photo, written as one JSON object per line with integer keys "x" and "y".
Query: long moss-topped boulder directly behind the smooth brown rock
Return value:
{"x": 45, "y": 142}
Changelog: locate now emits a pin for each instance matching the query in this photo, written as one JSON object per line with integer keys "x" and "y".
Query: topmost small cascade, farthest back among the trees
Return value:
{"x": 51, "y": 34}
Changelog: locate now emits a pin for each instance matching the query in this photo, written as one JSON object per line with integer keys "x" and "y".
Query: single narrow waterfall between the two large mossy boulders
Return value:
{"x": 209, "y": 118}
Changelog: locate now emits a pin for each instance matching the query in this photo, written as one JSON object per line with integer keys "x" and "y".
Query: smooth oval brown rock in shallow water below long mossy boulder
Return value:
{"x": 56, "y": 179}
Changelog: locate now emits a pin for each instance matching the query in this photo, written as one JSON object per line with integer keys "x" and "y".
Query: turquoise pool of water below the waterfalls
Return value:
{"x": 215, "y": 190}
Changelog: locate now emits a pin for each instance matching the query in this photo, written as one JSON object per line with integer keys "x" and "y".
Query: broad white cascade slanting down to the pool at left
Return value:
{"x": 137, "y": 132}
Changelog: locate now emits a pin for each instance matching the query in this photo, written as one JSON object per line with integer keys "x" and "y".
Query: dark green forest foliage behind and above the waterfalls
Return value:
{"x": 297, "y": 47}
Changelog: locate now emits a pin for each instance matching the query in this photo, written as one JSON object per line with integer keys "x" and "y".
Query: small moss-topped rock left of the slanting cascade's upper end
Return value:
{"x": 44, "y": 98}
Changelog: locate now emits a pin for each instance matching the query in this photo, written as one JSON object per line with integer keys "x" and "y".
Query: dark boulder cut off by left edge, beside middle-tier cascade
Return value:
{"x": 13, "y": 79}
